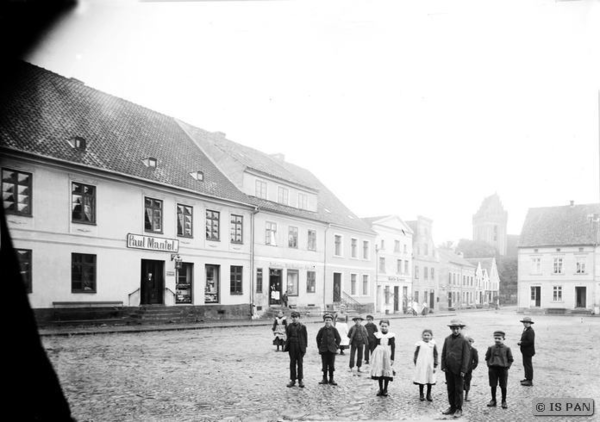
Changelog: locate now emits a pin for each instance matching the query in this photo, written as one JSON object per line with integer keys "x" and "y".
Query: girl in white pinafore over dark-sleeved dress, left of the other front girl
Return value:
{"x": 382, "y": 359}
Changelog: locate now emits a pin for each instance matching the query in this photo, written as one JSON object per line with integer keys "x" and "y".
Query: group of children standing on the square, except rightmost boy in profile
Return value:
{"x": 376, "y": 346}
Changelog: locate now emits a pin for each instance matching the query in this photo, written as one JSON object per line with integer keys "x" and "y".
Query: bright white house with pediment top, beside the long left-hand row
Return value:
{"x": 393, "y": 257}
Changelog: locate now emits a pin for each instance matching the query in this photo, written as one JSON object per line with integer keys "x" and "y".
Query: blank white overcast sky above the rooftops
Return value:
{"x": 415, "y": 107}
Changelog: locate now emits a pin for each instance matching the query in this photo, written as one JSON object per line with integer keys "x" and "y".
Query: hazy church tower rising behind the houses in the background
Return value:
{"x": 490, "y": 223}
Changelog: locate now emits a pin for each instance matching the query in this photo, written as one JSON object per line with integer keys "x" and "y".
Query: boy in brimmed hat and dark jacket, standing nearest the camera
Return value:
{"x": 456, "y": 355}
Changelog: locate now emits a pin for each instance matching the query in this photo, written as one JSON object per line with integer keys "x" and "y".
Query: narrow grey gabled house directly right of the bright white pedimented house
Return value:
{"x": 425, "y": 263}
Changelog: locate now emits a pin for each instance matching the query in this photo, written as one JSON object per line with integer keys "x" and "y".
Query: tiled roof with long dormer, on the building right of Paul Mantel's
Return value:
{"x": 329, "y": 210}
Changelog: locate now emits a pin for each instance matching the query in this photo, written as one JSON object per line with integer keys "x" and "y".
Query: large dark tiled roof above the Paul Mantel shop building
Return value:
{"x": 44, "y": 110}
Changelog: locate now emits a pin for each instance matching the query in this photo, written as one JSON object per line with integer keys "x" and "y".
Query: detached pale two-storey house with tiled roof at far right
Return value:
{"x": 558, "y": 256}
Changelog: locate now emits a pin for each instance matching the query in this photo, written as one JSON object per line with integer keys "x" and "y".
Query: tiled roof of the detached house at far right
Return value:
{"x": 560, "y": 226}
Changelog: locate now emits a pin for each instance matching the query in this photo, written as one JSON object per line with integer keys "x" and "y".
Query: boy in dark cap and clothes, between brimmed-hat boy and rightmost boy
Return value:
{"x": 499, "y": 359}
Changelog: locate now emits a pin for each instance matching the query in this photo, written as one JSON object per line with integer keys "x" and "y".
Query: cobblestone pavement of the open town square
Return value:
{"x": 234, "y": 374}
